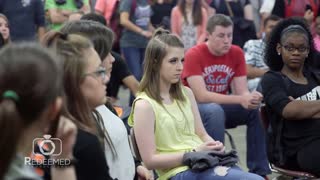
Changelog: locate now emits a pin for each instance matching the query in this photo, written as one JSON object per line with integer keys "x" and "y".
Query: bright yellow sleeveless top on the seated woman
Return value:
{"x": 174, "y": 130}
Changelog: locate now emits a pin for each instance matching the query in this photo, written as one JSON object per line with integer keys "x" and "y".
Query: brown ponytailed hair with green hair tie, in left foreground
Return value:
{"x": 34, "y": 75}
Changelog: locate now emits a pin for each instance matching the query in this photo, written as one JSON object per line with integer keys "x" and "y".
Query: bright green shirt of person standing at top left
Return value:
{"x": 69, "y": 5}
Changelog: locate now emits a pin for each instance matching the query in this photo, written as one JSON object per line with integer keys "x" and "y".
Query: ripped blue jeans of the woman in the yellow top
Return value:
{"x": 234, "y": 173}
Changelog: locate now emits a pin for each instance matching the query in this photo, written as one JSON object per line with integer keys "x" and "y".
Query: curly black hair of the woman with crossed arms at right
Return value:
{"x": 272, "y": 59}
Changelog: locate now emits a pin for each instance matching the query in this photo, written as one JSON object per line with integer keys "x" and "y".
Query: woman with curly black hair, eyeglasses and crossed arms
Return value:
{"x": 292, "y": 95}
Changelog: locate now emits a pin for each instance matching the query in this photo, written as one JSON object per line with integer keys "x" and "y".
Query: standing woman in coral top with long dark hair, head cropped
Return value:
{"x": 188, "y": 21}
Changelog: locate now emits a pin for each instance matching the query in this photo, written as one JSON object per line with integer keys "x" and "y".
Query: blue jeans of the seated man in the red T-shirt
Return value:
{"x": 216, "y": 118}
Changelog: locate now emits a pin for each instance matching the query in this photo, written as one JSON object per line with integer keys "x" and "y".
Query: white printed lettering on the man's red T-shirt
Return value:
{"x": 218, "y": 77}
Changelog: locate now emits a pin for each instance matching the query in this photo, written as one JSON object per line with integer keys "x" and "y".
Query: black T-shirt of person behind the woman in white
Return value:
{"x": 119, "y": 71}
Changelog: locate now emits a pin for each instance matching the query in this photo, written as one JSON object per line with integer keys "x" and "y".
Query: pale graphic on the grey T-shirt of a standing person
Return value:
{"x": 142, "y": 15}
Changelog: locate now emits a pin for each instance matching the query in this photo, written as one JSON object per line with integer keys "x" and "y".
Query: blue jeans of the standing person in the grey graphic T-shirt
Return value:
{"x": 134, "y": 58}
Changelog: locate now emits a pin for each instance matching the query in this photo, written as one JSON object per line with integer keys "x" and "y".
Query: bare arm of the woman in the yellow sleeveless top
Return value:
{"x": 144, "y": 123}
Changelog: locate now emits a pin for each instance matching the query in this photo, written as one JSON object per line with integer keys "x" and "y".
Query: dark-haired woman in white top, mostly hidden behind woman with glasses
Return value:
{"x": 117, "y": 150}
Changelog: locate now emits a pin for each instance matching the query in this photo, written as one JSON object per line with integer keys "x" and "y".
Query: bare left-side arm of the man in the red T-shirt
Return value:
{"x": 202, "y": 95}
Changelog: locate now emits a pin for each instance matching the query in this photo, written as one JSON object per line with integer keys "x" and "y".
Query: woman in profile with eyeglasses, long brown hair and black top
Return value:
{"x": 84, "y": 81}
